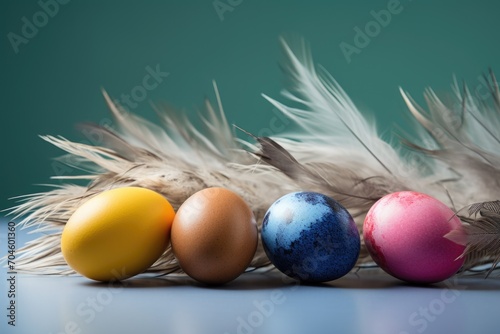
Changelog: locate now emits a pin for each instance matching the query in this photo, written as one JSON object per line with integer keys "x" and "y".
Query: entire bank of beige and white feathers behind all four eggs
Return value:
{"x": 333, "y": 149}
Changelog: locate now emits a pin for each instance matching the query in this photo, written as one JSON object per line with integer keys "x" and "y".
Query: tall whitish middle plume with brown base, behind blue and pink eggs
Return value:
{"x": 337, "y": 150}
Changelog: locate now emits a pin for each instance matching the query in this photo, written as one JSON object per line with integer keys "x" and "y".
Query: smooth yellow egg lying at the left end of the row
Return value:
{"x": 118, "y": 233}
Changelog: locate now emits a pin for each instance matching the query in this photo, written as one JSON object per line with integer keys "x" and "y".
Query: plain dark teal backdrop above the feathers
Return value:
{"x": 54, "y": 81}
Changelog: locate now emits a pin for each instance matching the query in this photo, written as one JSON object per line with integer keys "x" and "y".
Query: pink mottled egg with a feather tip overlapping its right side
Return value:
{"x": 404, "y": 233}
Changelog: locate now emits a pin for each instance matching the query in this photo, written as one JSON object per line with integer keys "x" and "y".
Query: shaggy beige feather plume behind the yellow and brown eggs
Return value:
{"x": 176, "y": 161}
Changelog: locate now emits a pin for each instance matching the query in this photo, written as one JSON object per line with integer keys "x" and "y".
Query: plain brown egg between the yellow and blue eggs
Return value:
{"x": 214, "y": 236}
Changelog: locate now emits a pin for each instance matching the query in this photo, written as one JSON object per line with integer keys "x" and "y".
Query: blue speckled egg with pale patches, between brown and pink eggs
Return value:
{"x": 310, "y": 237}
